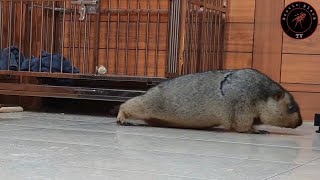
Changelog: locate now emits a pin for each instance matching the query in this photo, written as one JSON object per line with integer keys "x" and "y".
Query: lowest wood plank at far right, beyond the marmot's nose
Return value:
{"x": 309, "y": 104}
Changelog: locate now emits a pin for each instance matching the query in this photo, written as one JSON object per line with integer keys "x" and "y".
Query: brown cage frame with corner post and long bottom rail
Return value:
{"x": 23, "y": 83}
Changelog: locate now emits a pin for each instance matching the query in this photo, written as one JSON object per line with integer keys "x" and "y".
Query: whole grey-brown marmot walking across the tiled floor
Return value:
{"x": 234, "y": 99}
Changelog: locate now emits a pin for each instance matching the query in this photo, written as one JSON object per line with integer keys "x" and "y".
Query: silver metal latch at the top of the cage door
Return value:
{"x": 86, "y": 7}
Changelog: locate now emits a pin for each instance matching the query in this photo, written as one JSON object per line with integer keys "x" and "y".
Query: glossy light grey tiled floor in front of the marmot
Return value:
{"x": 59, "y": 146}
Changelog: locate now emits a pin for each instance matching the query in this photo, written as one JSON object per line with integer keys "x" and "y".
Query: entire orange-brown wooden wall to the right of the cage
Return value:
{"x": 292, "y": 62}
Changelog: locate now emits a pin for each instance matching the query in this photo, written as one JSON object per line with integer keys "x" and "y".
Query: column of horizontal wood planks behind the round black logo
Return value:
{"x": 299, "y": 72}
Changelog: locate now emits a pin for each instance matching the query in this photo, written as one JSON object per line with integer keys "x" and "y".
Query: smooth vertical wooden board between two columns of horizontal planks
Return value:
{"x": 268, "y": 37}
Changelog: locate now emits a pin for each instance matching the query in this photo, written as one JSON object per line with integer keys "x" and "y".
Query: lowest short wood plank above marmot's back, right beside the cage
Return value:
{"x": 237, "y": 60}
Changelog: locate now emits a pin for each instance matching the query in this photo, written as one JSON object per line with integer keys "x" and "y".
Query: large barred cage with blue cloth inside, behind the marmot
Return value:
{"x": 106, "y": 50}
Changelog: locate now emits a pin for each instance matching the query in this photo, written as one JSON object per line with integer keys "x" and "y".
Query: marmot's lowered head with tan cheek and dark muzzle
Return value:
{"x": 280, "y": 110}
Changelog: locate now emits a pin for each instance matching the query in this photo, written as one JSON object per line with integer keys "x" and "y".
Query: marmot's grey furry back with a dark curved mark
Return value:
{"x": 217, "y": 89}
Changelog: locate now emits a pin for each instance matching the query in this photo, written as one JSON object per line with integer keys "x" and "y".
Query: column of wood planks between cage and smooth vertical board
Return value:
{"x": 239, "y": 34}
